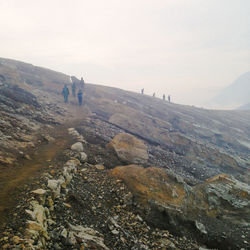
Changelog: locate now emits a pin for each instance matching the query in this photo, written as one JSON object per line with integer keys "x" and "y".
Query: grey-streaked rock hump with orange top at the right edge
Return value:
{"x": 225, "y": 198}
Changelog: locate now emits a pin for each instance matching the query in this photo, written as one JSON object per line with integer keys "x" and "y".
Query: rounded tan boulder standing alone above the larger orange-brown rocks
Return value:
{"x": 129, "y": 149}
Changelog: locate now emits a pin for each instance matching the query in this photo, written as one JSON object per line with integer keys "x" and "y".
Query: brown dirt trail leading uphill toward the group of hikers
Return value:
{"x": 14, "y": 178}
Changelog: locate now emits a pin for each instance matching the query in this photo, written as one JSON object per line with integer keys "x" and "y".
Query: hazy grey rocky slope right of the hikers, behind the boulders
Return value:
{"x": 202, "y": 143}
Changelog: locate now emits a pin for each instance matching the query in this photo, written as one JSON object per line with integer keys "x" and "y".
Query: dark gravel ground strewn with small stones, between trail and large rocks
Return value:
{"x": 91, "y": 200}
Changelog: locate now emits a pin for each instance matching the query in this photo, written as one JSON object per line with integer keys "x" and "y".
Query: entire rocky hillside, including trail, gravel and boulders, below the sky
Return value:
{"x": 143, "y": 174}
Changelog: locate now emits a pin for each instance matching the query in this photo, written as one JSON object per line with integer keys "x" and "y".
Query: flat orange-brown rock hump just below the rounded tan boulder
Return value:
{"x": 151, "y": 183}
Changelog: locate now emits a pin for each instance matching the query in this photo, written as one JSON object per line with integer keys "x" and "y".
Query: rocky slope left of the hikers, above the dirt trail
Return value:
{"x": 28, "y": 102}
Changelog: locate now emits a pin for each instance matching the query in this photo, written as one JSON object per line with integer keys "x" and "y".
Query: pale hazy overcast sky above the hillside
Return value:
{"x": 187, "y": 48}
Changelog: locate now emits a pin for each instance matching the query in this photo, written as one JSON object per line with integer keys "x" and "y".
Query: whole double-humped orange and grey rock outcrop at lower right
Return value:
{"x": 215, "y": 212}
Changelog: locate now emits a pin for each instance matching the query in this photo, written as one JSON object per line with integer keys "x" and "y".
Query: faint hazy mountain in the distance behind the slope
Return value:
{"x": 235, "y": 95}
